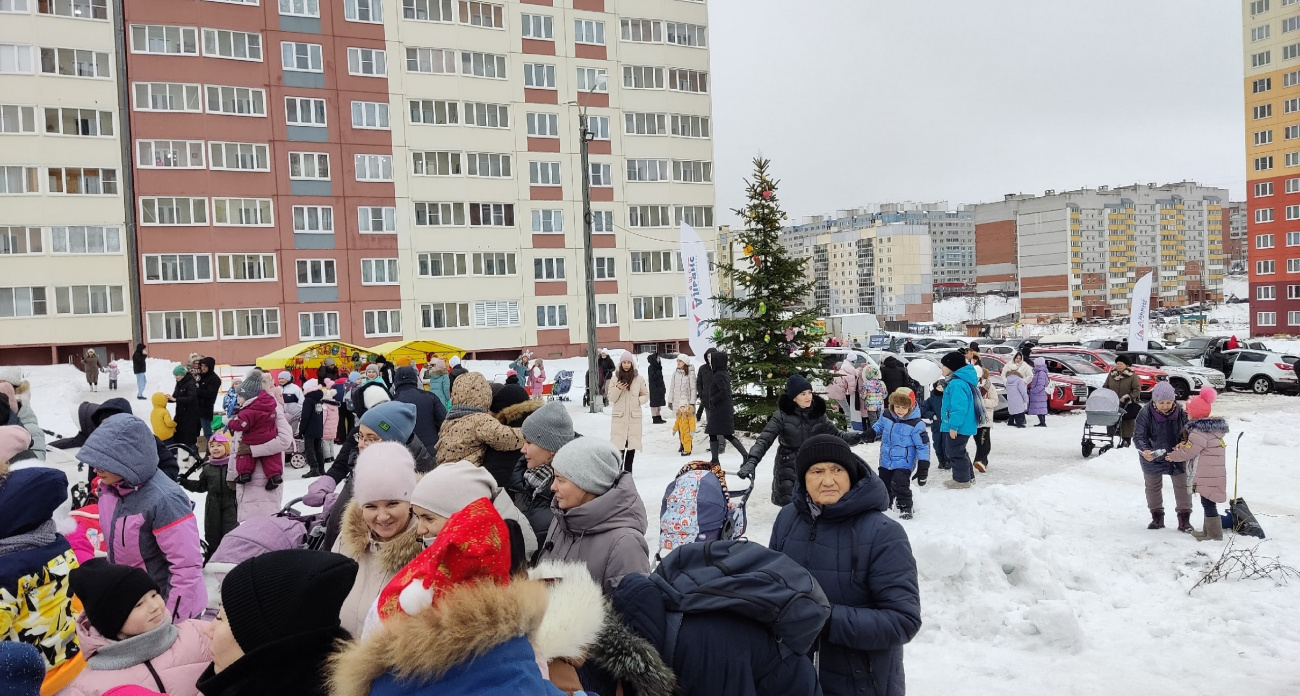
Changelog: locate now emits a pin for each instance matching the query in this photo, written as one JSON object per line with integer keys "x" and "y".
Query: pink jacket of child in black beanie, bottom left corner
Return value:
{"x": 179, "y": 668}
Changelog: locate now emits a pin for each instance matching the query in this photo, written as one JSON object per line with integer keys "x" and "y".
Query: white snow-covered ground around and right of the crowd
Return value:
{"x": 1042, "y": 578}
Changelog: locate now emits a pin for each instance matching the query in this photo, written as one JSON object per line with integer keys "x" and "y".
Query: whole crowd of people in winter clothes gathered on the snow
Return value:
{"x": 473, "y": 542}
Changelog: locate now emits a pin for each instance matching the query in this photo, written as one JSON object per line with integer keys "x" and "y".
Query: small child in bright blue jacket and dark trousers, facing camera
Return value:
{"x": 904, "y": 446}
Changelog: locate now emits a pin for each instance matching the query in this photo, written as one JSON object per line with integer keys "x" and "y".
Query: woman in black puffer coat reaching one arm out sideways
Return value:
{"x": 801, "y": 416}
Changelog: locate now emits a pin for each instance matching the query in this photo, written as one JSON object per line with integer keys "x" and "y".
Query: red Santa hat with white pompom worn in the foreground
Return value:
{"x": 473, "y": 547}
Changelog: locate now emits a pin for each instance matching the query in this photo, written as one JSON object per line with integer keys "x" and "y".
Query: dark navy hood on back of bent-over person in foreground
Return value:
{"x": 746, "y": 580}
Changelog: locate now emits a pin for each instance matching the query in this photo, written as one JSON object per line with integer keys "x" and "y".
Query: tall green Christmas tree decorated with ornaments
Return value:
{"x": 765, "y": 326}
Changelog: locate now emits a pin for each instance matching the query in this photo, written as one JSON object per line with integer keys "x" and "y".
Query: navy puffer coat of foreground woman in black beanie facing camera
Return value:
{"x": 864, "y": 563}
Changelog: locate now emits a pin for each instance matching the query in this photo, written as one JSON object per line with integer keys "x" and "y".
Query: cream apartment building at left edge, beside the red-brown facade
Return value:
{"x": 64, "y": 249}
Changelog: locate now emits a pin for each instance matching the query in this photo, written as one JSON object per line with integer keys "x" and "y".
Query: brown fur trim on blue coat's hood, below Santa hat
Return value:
{"x": 466, "y": 625}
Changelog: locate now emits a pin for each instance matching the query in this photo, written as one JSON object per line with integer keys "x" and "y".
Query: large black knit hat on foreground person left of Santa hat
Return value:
{"x": 281, "y": 594}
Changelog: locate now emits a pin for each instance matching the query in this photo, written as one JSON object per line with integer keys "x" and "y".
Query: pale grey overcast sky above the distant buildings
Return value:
{"x": 861, "y": 102}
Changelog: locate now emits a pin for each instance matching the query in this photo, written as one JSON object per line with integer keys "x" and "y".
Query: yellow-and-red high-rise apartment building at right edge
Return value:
{"x": 1272, "y": 44}
